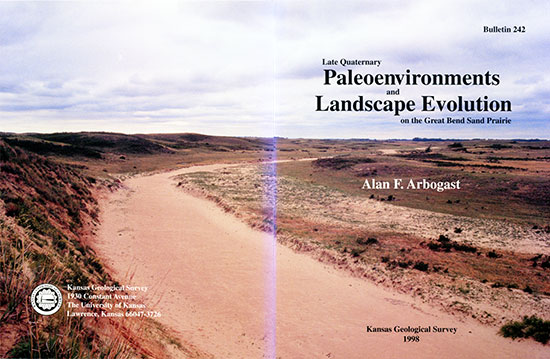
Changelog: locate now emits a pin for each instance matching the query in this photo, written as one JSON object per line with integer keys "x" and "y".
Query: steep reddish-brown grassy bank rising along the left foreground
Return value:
{"x": 45, "y": 208}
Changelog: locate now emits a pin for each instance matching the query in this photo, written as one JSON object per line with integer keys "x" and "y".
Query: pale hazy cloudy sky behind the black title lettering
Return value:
{"x": 253, "y": 68}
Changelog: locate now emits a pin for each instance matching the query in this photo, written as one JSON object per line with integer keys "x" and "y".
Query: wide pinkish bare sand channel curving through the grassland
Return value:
{"x": 213, "y": 279}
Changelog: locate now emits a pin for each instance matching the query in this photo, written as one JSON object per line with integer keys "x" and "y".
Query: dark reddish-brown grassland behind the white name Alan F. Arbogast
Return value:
{"x": 525, "y": 187}
